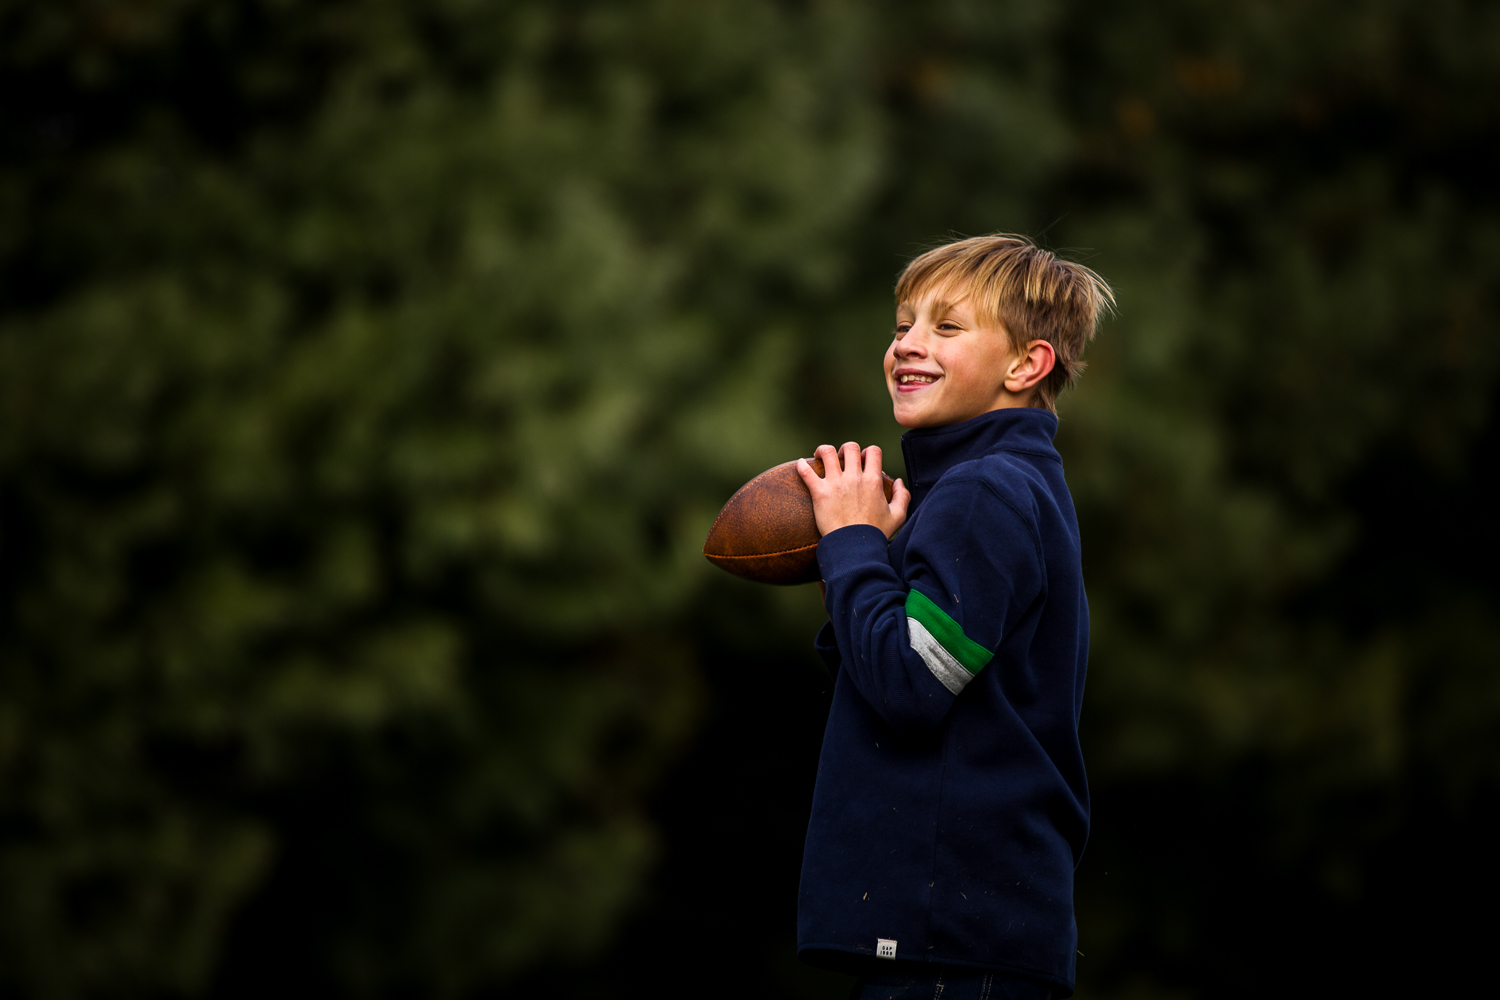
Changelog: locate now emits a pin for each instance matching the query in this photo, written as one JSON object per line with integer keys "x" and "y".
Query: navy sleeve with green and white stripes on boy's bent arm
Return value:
{"x": 913, "y": 639}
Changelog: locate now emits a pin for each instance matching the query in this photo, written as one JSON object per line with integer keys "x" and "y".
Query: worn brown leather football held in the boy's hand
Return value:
{"x": 767, "y": 531}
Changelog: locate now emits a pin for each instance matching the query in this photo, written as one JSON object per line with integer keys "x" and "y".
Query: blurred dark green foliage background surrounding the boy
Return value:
{"x": 371, "y": 371}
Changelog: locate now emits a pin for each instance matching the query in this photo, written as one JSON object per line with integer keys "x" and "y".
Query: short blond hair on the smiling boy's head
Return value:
{"x": 1030, "y": 293}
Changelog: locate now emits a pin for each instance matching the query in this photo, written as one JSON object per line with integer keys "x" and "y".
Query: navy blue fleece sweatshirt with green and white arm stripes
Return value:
{"x": 952, "y": 804}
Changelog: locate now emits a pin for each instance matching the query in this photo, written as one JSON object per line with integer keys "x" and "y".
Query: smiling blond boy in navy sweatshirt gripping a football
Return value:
{"x": 952, "y": 806}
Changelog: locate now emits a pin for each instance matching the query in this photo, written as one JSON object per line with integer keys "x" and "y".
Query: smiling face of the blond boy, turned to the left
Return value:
{"x": 946, "y": 367}
